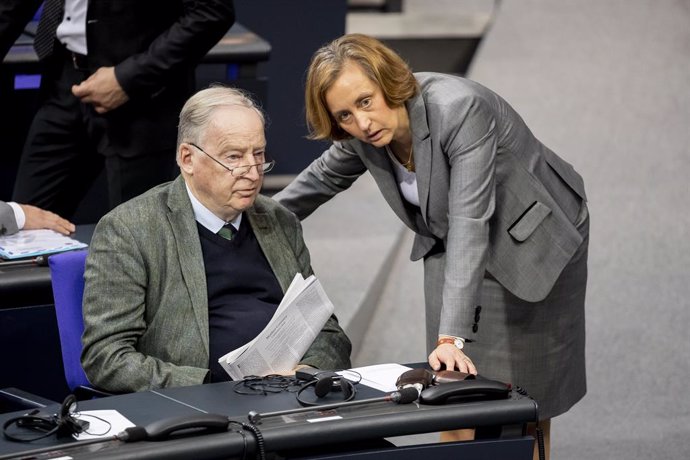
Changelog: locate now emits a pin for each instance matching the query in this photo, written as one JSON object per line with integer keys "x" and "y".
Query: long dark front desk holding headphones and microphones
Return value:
{"x": 357, "y": 424}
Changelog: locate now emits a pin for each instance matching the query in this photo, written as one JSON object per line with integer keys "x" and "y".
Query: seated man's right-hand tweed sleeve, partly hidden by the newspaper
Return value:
{"x": 331, "y": 348}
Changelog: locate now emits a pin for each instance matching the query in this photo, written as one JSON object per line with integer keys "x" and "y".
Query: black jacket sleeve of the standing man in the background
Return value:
{"x": 202, "y": 24}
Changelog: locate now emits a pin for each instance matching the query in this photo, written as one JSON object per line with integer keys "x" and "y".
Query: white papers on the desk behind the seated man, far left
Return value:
{"x": 30, "y": 243}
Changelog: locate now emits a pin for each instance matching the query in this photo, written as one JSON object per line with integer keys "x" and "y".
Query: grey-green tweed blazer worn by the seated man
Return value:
{"x": 145, "y": 297}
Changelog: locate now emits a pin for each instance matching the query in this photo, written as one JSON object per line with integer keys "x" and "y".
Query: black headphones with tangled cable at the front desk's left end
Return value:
{"x": 62, "y": 424}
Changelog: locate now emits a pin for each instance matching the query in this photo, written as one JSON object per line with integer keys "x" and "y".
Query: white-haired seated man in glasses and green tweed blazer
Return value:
{"x": 194, "y": 268}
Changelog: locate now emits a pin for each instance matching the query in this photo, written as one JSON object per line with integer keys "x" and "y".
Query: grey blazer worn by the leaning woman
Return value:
{"x": 492, "y": 196}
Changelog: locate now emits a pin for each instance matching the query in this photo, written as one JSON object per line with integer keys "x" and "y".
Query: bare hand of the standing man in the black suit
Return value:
{"x": 101, "y": 90}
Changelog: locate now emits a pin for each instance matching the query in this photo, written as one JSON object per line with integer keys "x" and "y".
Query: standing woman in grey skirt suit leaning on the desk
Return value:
{"x": 500, "y": 220}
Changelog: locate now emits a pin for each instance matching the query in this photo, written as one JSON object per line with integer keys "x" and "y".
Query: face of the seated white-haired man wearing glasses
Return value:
{"x": 234, "y": 137}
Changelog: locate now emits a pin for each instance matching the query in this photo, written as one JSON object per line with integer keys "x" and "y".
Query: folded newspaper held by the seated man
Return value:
{"x": 304, "y": 310}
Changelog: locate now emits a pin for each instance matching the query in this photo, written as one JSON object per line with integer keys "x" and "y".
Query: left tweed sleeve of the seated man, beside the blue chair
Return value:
{"x": 115, "y": 317}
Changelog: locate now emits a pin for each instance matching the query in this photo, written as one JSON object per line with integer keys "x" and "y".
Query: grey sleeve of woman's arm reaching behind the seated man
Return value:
{"x": 334, "y": 171}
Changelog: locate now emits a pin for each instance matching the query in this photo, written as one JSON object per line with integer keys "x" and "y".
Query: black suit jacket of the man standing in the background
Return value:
{"x": 154, "y": 46}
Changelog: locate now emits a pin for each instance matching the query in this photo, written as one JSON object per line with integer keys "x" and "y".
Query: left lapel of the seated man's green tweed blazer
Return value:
{"x": 191, "y": 260}
